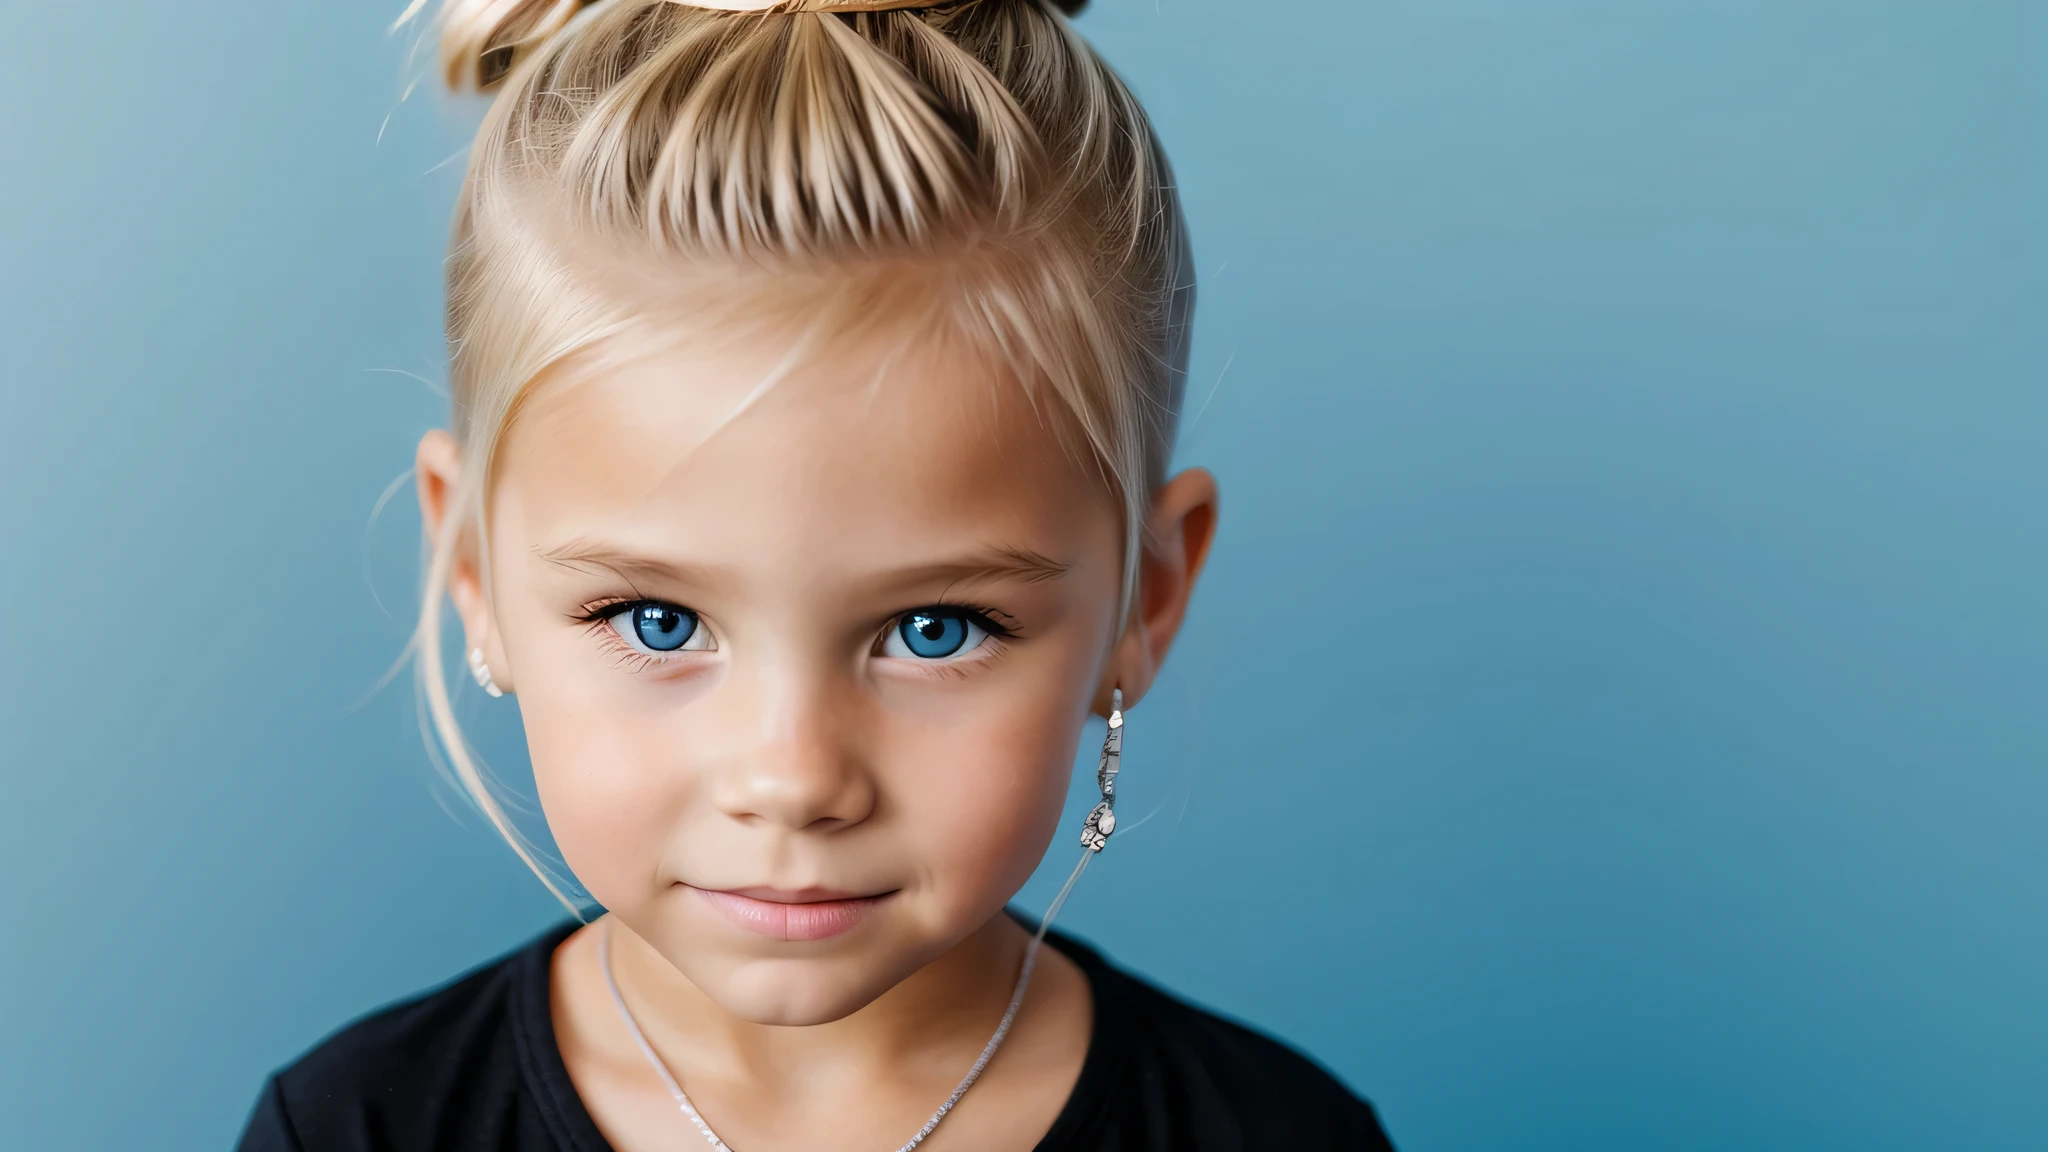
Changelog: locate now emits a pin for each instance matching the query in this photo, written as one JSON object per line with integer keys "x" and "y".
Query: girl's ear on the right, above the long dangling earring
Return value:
{"x": 1172, "y": 552}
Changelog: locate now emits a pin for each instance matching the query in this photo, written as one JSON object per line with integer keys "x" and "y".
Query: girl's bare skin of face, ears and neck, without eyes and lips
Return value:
{"x": 794, "y": 747}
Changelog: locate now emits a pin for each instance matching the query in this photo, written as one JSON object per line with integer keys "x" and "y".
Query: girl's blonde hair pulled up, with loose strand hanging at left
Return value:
{"x": 980, "y": 145}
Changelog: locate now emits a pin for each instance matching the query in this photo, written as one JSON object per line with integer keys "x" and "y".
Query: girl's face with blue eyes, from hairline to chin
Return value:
{"x": 804, "y": 690}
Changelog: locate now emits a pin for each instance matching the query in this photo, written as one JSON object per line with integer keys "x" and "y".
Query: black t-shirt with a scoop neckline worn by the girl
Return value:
{"x": 474, "y": 1067}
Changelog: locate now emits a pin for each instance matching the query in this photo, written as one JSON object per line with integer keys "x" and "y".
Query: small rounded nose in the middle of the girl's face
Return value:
{"x": 802, "y": 768}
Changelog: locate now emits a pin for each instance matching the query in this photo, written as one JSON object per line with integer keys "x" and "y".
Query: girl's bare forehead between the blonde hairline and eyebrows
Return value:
{"x": 753, "y": 450}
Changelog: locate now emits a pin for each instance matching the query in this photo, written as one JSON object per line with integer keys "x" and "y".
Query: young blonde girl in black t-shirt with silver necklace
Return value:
{"x": 816, "y": 370}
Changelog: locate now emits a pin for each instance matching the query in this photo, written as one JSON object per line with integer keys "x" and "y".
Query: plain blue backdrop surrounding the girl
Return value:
{"x": 1613, "y": 721}
